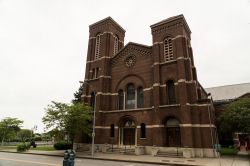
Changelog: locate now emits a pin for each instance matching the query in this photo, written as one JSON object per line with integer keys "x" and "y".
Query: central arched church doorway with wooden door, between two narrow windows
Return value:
{"x": 127, "y": 133}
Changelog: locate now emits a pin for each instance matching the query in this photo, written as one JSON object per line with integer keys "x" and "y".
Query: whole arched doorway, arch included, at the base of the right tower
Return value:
{"x": 173, "y": 133}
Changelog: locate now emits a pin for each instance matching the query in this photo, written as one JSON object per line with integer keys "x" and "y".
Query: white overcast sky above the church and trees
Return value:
{"x": 43, "y": 45}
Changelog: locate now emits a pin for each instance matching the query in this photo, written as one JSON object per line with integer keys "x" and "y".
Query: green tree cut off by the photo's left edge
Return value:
{"x": 9, "y": 127}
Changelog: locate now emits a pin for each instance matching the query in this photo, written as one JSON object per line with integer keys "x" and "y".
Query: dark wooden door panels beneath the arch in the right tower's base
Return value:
{"x": 173, "y": 137}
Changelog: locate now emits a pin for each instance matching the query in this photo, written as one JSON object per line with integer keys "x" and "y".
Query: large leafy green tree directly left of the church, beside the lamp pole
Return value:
{"x": 72, "y": 119}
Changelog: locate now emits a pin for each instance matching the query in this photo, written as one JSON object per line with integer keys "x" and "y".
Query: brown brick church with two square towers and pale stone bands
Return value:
{"x": 148, "y": 96}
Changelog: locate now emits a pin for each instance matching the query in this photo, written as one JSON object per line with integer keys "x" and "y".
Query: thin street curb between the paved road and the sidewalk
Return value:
{"x": 107, "y": 159}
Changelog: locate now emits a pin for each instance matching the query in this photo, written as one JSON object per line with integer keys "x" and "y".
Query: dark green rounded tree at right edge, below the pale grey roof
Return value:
{"x": 236, "y": 117}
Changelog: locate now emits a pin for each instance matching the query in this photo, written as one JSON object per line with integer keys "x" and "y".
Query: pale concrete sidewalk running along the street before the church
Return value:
{"x": 148, "y": 159}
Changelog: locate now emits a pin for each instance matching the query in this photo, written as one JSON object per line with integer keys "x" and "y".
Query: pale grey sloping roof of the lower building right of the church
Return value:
{"x": 229, "y": 92}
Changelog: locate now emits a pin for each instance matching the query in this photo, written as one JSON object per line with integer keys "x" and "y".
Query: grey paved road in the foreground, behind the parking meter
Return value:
{"x": 15, "y": 159}
